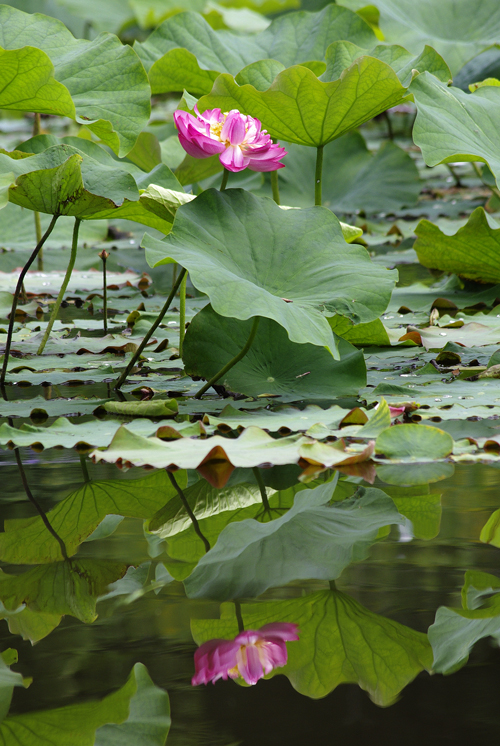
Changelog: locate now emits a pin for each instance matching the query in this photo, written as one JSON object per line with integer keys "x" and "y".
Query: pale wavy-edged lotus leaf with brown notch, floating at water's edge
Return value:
{"x": 252, "y": 448}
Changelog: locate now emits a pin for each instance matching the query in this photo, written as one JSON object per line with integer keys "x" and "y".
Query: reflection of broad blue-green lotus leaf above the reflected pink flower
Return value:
{"x": 312, "y": 540}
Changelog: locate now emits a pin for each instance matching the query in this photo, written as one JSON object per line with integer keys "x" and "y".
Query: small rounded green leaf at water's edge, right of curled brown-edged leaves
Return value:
{"x": 414, "y": 443}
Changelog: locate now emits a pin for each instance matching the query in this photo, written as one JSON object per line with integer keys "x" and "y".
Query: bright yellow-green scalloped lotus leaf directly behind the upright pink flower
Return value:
{"x": 300, "y": 108}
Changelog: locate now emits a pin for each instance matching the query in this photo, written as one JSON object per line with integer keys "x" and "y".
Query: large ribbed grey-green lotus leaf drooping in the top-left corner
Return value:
{"x": 106, "y": 80}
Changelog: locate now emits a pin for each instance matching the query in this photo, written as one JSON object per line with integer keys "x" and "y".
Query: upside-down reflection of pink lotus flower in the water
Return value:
{"x": 251, "y": 654}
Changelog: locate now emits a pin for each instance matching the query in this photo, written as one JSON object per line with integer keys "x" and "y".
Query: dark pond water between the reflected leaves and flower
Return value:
{"x": 403, "y": 579}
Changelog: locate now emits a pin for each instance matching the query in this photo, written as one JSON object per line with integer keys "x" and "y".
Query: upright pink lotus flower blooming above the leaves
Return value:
{"x": 237, "y": 138}
